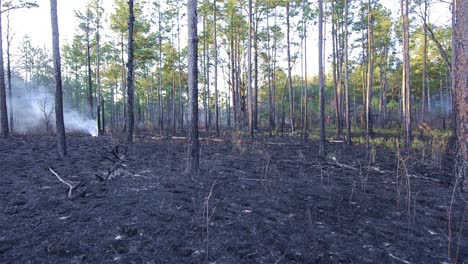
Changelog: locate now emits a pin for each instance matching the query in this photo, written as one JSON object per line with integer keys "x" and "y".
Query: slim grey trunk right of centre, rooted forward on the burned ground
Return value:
{"x": 321, "y": 82}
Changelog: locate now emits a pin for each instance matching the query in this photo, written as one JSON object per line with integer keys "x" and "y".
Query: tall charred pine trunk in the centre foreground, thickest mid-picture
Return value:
{"x": 194, "y": 155}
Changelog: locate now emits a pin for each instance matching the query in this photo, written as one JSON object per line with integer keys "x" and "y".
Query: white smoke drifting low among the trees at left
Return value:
{"x": 33, "y": 110}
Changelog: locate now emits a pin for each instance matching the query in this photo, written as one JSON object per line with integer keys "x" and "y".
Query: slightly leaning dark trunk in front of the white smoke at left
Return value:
{"x": 59, "y": 122}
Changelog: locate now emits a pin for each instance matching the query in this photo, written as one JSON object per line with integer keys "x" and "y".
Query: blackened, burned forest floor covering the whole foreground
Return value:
{"x": 271, "y": 201}
